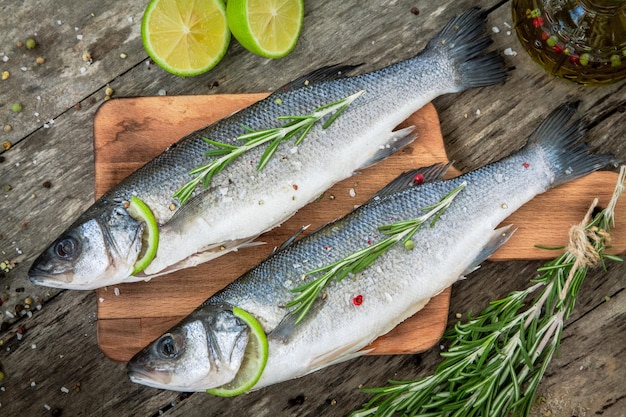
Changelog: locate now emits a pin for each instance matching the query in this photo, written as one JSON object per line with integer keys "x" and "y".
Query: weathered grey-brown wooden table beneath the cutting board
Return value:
{"x": 49, "y": 352}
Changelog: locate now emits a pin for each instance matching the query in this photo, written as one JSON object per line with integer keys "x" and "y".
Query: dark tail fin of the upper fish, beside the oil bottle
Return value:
{"x": 463, "y": 41}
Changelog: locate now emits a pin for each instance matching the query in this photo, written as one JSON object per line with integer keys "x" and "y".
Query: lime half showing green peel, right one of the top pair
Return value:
{"x": 269, "y": 28}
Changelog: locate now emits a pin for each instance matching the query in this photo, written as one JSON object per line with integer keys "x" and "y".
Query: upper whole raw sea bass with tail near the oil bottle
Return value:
{"x": 102, "y": 246}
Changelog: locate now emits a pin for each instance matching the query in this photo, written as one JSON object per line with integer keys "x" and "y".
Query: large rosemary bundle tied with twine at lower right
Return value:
{"x": 496, "y": 360}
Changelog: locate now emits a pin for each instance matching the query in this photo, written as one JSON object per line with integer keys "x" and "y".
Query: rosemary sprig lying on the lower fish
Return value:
{"x": 356, "y": 262}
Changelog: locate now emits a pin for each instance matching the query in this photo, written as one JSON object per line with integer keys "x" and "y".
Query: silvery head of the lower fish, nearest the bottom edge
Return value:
{"x": 203, "y": 351}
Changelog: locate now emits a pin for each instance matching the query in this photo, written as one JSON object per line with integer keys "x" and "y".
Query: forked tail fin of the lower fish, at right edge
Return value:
{"x": 558, "y": 137}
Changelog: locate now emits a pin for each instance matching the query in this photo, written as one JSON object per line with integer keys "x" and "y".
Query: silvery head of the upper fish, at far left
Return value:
{"x": 97, "y": 250}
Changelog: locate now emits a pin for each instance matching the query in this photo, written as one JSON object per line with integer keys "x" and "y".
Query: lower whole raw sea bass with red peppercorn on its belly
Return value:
{"x": 205, "y": 349}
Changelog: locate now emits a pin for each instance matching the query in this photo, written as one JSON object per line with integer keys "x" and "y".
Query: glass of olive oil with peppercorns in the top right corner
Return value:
{"x": 583, "y": 41}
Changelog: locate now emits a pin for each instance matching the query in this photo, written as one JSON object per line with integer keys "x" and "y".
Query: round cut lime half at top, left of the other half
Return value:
{"x": 185, "y": 37}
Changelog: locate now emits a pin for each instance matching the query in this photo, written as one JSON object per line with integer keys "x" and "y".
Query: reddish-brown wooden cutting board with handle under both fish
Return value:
{"x": 128, "y": 132}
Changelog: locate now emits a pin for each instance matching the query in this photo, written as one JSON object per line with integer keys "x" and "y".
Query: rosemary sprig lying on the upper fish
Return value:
{"x": 225, "y": 153}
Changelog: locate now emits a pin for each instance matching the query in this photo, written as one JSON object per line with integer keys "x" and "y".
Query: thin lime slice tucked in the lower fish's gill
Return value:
{"x": 255, "y": 358}
